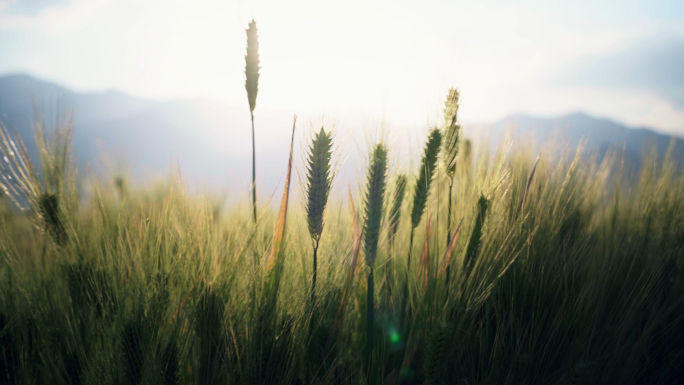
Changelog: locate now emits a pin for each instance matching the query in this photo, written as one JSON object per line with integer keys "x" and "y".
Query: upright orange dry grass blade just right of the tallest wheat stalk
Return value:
{"x": 276, "y": 258}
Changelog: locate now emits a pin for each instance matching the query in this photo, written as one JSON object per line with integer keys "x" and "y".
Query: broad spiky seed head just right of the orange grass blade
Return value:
{"x": 319, "y": 180}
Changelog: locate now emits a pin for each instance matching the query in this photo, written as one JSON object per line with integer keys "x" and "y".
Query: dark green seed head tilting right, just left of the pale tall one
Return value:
{"x": 427, "y": 168}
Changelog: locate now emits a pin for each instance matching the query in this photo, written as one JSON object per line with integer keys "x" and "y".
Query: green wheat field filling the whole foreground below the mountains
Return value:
{"x": 473, "y": 268}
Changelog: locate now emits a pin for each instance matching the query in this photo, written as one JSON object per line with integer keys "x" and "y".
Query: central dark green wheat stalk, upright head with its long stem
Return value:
{"x": 375, "y": 193}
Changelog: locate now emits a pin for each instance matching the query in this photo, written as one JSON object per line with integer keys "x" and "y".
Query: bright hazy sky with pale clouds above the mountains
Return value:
{"x": 616, "y": 58}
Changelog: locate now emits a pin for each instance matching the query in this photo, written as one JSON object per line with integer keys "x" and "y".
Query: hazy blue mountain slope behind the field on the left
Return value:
{"x": 211, "y": 142}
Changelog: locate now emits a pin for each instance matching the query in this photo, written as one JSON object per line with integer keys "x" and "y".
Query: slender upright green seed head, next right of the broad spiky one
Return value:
{"x": 375, "y": 193}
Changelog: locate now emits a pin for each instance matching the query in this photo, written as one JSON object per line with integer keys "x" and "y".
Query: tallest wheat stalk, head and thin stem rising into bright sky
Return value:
{"x": 252, "y": 86}
